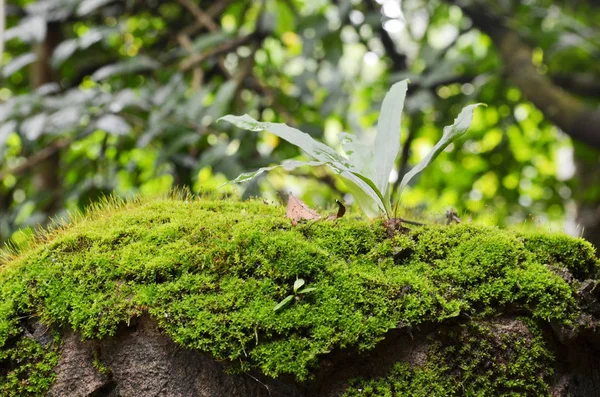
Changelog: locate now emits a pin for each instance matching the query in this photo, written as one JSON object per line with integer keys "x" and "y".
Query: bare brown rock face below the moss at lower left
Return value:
{"x": 141, "y": 361}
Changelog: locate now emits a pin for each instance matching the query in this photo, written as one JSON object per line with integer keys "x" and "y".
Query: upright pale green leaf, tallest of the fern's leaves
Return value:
{"x": 387, "y": 141}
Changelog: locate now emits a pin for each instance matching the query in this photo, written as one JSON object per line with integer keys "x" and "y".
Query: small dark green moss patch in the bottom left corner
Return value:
{"x": 26, "y": 367}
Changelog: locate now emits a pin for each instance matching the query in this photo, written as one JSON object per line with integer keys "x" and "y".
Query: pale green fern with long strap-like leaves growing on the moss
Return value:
{"x": 365, "y": 168}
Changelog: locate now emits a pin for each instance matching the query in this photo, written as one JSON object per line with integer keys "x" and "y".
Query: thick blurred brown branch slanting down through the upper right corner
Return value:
{"x": 566, "y": 111}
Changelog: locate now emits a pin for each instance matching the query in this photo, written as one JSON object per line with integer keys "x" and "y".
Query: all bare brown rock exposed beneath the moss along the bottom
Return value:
{"x": 141, "y": 361}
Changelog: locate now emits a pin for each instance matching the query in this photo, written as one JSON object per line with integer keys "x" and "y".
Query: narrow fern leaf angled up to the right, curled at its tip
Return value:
{"x": 450, "y": 134}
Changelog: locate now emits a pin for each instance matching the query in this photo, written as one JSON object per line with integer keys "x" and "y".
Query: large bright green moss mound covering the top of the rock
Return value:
{"x": 211, "y": 271}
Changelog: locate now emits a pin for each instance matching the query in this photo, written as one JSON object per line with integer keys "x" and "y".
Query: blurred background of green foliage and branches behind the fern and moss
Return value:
{"x": 102, "y": 96}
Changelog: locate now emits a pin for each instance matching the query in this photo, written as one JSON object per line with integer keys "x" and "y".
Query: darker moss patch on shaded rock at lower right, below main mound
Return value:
{"x": 478, "y": 359}
